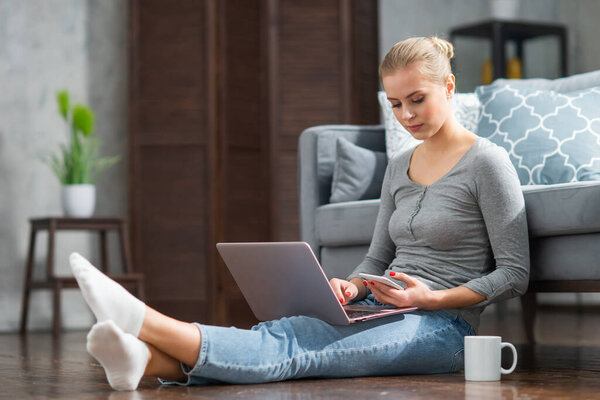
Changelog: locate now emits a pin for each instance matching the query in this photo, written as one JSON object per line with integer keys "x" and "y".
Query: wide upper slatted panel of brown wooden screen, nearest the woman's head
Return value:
{"x": 309, "y": 73}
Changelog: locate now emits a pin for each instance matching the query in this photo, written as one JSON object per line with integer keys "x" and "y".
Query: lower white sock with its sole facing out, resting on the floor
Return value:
{"x": 123, "y": 356}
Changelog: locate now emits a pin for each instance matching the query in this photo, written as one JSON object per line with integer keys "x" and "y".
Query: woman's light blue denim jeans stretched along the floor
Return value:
{"x": 419, "y": 342}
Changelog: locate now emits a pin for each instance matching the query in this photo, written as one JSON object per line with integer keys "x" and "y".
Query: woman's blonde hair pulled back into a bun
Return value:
{"x": 433, "y": 54}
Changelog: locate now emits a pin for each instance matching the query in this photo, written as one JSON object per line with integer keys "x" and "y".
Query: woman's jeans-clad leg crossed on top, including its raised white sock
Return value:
{"x": 419, "y": 342}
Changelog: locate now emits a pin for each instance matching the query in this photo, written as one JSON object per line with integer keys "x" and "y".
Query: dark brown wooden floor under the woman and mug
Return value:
{"x": 564, "y": 365}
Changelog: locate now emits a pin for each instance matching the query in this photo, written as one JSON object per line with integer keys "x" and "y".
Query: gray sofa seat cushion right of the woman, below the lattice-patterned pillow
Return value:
{"x": 562, "y": 209}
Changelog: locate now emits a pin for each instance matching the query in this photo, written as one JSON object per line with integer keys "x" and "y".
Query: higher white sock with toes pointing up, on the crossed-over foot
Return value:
{"x": 107, "y": 299}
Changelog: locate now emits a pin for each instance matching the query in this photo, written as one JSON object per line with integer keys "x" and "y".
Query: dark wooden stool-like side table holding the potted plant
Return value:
{"x": 128, "y": 279}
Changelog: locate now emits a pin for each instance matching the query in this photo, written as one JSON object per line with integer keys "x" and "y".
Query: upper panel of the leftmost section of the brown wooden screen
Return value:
{"x": 171, "y": 75}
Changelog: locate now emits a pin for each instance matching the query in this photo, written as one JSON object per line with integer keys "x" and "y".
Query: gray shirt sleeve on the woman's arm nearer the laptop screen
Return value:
{"x": 382, "y": 249}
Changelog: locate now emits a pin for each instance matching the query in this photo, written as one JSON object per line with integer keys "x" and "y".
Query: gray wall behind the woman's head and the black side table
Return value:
{"x": 400, "y": 19}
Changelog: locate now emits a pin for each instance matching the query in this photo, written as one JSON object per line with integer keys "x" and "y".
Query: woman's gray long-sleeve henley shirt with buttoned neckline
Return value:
{"x": 468, "y": 228}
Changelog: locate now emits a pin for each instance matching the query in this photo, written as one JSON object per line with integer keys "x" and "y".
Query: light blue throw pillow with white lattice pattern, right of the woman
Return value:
{"x": 550, "y": 137}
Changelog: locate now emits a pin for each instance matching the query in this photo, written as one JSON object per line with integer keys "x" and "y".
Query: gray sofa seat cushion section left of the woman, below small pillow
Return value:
{"x": 346, "y": 224}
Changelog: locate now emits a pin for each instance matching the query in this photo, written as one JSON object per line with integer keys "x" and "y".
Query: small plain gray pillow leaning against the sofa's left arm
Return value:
{"x": 358, "y": 172}
